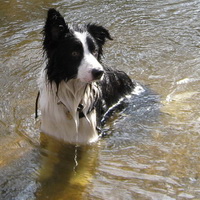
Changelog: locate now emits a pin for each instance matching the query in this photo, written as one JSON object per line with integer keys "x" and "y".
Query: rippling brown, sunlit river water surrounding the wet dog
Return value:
{"x": 148, "y": 154}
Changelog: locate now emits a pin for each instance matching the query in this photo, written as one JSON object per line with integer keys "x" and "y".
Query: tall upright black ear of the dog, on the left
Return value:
{"x": 55, "y": 27}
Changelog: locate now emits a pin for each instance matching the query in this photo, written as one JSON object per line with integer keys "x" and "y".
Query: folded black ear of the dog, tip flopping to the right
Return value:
{"x": 99, "y": 33}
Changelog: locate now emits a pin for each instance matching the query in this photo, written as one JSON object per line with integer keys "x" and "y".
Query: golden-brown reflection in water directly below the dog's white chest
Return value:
{"x": 66, "y": 170}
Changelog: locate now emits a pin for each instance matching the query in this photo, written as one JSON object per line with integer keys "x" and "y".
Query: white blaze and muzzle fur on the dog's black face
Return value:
{"x": 89, "y": 61}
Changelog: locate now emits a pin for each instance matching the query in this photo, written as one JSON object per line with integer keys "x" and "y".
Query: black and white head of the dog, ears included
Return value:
{"x": 73, "y": 51}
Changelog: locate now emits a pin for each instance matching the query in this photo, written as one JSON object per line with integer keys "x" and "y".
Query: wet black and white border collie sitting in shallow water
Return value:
{"x": 75, "y": 90}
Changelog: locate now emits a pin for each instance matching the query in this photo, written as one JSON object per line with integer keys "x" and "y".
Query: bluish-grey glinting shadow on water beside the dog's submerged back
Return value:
{"x": 133, "y": 115}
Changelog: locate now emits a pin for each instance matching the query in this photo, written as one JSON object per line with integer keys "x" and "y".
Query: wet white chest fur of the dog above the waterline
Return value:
{"x": 59, "y": 110}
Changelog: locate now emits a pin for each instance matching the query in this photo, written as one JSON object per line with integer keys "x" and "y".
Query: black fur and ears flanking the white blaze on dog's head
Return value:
{"x": 64, "y": 51}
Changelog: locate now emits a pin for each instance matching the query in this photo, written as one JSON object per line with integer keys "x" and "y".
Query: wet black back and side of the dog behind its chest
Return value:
{"x": 114, "y": 87}
